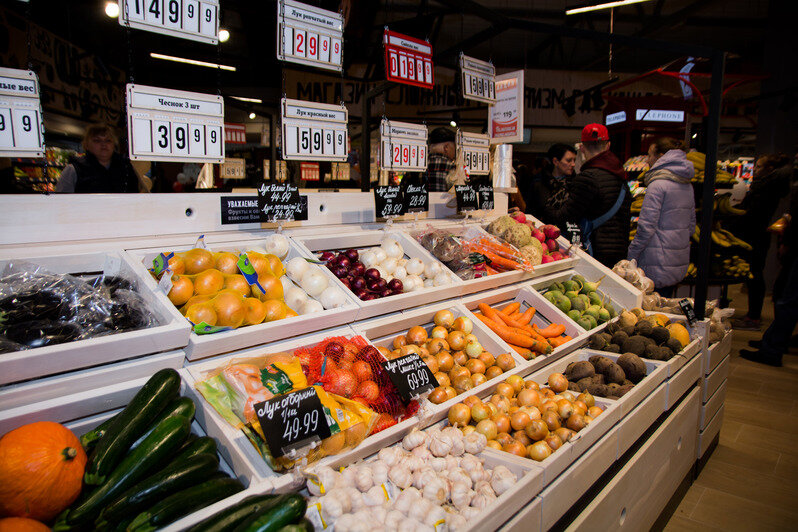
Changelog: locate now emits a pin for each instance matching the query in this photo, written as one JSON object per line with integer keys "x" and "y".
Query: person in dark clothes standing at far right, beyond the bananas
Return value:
{"x": 772, "y": 176}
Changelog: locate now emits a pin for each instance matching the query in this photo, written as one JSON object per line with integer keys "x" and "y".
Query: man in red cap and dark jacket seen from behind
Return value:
{"x": 599, "y": 200}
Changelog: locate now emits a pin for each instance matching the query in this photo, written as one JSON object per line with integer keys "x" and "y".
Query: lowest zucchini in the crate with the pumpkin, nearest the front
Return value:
{"x": 183, "y": 503}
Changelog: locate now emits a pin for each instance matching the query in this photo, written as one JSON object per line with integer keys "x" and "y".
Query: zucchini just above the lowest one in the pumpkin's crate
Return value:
{"x": 177, "y": 476}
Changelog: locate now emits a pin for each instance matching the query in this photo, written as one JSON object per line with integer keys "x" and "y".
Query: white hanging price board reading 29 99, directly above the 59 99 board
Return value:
{"x": 309, "y": 36}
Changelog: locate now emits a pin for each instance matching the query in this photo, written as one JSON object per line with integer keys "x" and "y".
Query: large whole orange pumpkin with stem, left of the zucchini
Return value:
{"x": 41, "y": 470}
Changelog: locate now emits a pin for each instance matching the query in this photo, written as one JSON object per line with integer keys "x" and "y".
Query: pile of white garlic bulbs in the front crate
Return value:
{"x": 433, "y": 481}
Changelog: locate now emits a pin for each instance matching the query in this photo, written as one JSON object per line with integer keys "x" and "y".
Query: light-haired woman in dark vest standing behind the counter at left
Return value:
{"x": 102, "y": 169}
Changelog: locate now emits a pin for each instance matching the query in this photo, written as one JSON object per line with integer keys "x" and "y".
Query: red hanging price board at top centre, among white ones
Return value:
{"x": 408, "y": 60}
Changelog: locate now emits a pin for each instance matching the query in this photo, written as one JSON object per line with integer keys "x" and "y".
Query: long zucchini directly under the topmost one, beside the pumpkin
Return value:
{"x": 135, "y": 466}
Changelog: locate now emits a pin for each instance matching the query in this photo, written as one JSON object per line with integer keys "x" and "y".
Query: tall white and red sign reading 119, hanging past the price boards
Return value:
{"x": 506, "y": 117}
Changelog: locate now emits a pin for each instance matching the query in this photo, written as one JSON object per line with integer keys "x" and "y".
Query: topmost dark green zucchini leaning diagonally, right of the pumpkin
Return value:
{"x": 131, "y": 423}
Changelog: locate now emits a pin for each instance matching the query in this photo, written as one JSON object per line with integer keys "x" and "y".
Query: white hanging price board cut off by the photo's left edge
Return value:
{"x": 21, "y": 128}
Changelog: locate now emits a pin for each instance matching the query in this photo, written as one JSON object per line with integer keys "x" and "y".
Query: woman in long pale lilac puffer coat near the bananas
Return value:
{"x": 662, "y": 243}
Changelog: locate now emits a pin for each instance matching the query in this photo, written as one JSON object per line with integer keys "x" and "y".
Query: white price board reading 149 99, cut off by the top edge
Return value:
{"x": 197, "y": 20}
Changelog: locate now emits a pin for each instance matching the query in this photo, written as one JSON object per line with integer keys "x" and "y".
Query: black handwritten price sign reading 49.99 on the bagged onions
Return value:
{"x": 292, "y": 421}
